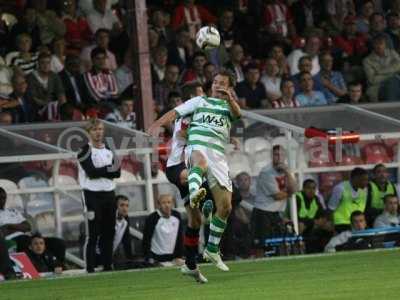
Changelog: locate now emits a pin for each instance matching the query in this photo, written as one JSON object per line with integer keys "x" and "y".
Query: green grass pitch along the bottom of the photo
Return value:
{"x": 353, "y": 275}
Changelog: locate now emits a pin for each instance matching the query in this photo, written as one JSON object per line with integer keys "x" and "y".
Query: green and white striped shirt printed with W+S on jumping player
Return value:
{"x": 211, "y": 122}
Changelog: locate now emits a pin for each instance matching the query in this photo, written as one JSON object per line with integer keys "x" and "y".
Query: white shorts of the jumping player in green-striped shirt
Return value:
{"x": 217, "y": 170}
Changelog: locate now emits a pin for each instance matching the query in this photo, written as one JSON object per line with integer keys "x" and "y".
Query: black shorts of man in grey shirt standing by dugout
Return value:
{"x": 265, "y": 224}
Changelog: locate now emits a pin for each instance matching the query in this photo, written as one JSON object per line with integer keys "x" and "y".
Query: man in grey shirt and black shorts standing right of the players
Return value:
{"x": 275, "y": 185}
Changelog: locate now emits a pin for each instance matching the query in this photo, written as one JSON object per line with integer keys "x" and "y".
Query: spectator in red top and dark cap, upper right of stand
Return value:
{"x": 351, "y": 43}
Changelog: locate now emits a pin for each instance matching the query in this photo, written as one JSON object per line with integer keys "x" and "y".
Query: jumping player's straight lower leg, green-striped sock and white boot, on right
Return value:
{"x": 222, "y": 199}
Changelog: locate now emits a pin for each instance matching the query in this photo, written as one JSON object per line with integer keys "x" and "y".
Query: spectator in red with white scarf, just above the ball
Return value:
{"x": 192, "y": 16}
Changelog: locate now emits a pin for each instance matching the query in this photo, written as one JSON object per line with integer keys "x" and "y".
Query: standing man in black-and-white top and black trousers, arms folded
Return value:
{"x": 98, "y": 166}
